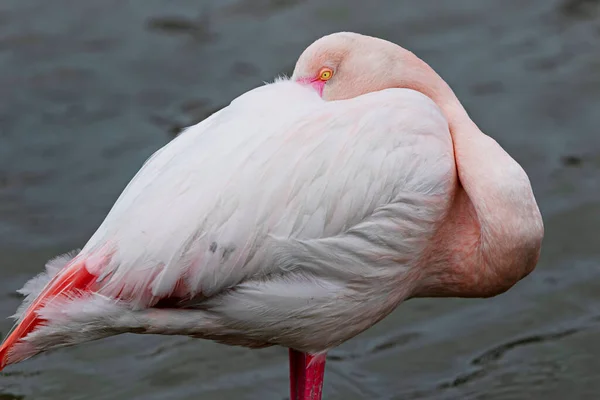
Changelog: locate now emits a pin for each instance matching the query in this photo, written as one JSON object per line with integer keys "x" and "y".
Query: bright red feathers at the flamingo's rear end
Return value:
{"x": 74, "y": 277}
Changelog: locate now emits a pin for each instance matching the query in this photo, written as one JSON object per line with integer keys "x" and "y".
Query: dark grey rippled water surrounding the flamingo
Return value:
{"x": 90, "y": 88}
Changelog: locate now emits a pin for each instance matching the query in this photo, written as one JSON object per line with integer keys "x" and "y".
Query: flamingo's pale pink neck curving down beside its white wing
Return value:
{"x": 492, "y": 234}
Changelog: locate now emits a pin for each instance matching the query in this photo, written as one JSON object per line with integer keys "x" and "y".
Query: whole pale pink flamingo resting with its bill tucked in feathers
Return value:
{"x": 300, "y": 215}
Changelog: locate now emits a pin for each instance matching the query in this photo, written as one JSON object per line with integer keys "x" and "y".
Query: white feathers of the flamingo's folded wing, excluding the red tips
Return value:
{"x": 223, "y": 202}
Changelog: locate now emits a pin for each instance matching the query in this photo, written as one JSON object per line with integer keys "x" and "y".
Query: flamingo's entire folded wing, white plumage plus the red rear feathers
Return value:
{"x": 276, "y": 186}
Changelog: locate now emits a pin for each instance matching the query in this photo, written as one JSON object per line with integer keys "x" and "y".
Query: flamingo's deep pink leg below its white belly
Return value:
{"x": 306, "y": 376}
